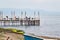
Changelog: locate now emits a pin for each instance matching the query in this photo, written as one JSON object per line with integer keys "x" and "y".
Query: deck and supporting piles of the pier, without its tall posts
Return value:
{"x": 19, "y": 22}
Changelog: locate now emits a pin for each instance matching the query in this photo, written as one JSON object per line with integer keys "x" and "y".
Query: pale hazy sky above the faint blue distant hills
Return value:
{"x": 33, "y": 4}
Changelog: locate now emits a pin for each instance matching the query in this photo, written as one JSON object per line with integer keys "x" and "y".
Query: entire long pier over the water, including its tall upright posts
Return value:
{"x": 26, "y": 21}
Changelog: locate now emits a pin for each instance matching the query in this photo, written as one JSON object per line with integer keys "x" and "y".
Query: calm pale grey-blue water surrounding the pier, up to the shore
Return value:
{"x": 50, "y": 26}
